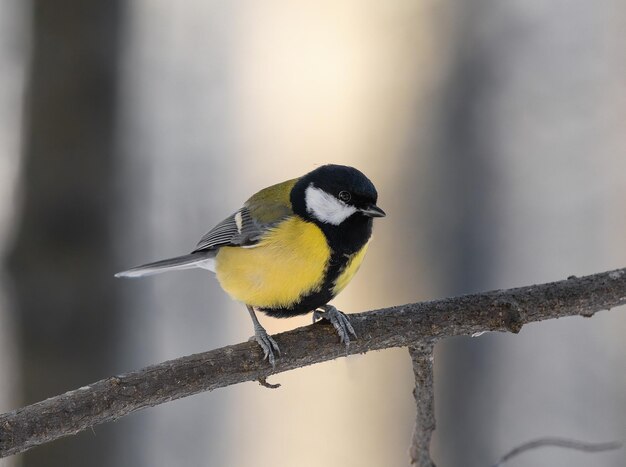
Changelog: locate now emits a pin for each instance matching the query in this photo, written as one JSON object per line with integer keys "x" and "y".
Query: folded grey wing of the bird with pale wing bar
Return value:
{"x": 238, "y": 229}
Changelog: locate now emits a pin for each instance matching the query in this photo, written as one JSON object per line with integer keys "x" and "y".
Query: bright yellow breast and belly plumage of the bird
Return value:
{"x": 287, "y": 264}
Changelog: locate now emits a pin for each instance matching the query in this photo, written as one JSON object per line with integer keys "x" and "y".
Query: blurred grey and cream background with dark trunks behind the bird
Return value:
{"x": 495, "y": 131}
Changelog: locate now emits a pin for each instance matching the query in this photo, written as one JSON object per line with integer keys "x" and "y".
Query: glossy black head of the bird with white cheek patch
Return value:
{"x": 333, "y": 193}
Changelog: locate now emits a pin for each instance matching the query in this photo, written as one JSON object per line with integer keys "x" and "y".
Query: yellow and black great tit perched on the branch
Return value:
{"x": 290, "y": 249}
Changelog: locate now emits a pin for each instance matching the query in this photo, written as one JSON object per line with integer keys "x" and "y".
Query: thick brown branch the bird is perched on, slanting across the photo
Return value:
{"x": 398, "y": 326}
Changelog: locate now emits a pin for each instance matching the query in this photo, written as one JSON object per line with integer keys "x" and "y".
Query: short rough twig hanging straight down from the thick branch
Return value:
{"x": 422, "y": 356}
